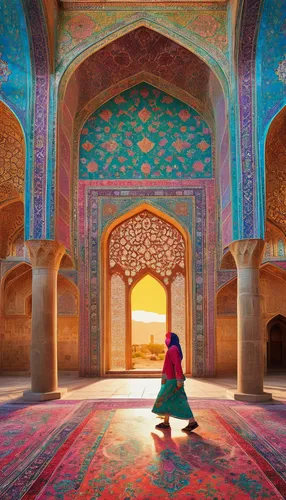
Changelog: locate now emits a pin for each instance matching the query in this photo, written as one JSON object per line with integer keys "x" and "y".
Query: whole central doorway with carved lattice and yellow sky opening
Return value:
{"x": 146, "y": 253}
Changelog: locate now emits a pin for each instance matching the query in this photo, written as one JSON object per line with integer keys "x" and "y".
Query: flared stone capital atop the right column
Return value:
{"x": 247, "y": 253}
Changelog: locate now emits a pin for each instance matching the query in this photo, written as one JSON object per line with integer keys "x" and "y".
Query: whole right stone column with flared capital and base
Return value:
{"x": 250, "y": 337}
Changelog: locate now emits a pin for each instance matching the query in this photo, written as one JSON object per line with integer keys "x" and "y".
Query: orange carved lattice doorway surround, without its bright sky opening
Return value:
{"x": 143, "y": 241}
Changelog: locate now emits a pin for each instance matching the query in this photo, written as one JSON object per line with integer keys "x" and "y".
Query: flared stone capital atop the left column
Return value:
{"x": 45, "y": 253}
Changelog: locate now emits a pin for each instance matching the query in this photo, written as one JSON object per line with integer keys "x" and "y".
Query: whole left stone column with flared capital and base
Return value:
{"x": 45, "y": 258}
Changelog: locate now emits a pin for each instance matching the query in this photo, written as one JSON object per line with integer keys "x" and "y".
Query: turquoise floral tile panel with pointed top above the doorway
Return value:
{"x": 145, "y": 133}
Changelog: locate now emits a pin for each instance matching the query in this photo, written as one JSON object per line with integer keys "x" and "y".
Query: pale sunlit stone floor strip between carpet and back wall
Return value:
{"x": 11, "y": 388}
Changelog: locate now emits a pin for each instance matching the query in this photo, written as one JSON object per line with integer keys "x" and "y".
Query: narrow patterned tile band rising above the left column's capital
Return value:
{"x": 36, "y": 222}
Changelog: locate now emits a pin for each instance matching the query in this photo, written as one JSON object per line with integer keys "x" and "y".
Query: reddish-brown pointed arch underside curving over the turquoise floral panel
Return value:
{"x": 80, "y": 94}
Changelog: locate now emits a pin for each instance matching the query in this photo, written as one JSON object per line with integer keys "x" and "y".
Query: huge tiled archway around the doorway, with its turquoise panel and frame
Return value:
{"x": 117, "y": 173}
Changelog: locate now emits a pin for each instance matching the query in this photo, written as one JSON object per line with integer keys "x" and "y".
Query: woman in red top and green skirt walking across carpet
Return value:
{"x": 172, "y": 400}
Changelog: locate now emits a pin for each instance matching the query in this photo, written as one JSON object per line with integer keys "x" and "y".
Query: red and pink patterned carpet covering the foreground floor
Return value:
{"x": 107, "y": 449}
